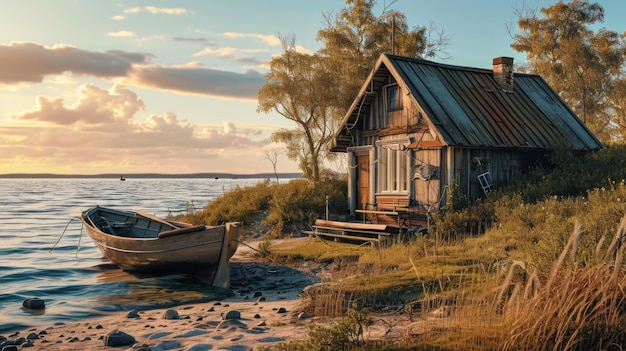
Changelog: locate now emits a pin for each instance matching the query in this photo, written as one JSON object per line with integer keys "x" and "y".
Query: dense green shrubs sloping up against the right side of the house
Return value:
{"x": 570, "y": 184}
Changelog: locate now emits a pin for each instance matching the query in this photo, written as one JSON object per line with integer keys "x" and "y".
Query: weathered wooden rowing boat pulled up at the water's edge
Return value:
{"x": 138, "y": 241}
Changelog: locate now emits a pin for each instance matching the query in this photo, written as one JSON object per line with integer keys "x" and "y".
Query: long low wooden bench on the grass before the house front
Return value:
{"x": 366, "y": 233}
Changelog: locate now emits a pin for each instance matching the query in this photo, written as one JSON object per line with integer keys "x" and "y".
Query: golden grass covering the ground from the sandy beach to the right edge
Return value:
{"x": 492, "y": 298}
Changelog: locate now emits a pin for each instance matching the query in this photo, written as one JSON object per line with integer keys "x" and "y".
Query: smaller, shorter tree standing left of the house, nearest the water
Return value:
{"x": 298, "y": 87}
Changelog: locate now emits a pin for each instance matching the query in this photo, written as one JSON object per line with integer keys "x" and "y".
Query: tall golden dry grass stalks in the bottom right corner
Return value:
{"x": 577, "y": 308}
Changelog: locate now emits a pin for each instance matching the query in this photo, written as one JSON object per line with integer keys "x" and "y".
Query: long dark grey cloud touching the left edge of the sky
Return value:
{"x": 29, "y": 63}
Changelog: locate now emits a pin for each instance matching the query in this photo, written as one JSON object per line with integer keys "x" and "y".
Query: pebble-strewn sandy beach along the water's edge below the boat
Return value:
{"x": 266, "y": 309}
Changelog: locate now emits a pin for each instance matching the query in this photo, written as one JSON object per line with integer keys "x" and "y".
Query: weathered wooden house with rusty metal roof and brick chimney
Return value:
{"x": 417, "y": 128}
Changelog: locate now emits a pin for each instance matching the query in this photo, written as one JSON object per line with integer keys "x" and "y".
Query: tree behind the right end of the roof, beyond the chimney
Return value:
{"x": 579, "y": 63}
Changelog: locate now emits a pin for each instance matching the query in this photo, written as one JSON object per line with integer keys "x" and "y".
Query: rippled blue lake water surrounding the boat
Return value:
{"x": 73, "y": 279}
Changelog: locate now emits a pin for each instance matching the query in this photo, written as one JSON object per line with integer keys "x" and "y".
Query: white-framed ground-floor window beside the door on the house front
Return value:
{"x": 393, "y": 169}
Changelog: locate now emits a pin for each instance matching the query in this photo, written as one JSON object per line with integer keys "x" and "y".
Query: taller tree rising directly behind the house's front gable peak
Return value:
{"x": 355, "y": 38}
